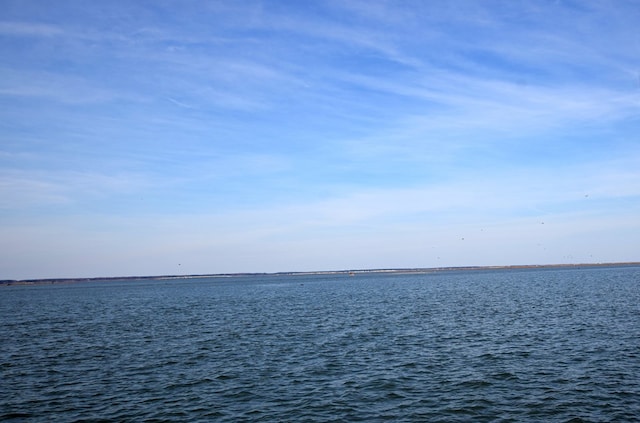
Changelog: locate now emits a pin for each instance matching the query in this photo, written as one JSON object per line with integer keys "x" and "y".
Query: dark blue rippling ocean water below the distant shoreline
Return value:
{"x": 551, "y": 345}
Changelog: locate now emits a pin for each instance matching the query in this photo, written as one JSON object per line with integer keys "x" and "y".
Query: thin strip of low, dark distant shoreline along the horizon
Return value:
{"x": 352, "y": 272}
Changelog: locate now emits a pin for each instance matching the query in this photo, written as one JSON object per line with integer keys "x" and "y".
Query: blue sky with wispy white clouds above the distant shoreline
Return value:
{"x": 189, "y": 137}
